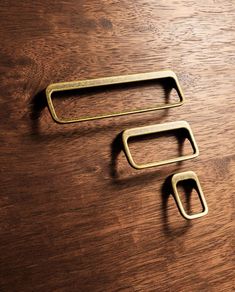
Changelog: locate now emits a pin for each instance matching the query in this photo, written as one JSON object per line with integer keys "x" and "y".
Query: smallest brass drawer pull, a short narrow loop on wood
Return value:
{"x": 184, "y": 176}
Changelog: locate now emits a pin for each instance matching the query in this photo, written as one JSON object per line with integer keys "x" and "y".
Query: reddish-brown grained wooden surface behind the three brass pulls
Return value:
{"x": 74, "y": 216}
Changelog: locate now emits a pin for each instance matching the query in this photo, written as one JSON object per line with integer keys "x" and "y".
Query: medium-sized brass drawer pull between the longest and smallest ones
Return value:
{"x": 135, "y": 132}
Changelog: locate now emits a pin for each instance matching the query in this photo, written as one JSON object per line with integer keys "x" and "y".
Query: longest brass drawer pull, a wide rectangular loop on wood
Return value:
{"x": 65, "y": 86}
